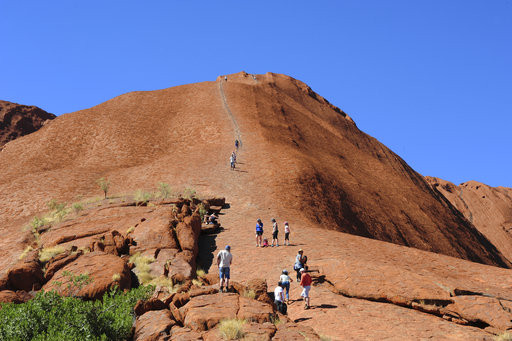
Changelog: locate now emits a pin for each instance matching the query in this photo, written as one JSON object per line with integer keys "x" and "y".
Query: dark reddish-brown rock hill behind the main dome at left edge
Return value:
{"x": 18, "y": 120}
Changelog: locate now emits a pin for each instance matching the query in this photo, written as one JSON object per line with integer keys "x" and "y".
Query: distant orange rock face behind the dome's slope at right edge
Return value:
{"x": 488, "y": 208}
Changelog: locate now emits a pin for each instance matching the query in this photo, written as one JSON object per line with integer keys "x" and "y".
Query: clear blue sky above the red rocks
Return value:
{"x": 430, "y": 79}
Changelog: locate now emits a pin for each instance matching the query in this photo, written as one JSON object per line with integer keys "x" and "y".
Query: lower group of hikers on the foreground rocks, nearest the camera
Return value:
{"x": 282, "y": 290}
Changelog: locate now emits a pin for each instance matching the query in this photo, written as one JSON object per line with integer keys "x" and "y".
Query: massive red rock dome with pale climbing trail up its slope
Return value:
{"x": 305, "y": 160}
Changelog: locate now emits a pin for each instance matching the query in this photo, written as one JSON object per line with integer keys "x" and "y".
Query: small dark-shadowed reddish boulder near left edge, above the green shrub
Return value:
{"x": 26, "y": 274}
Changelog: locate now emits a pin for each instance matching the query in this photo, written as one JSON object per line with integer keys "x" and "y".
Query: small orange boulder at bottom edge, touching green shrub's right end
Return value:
{"x": 153, "y": 325}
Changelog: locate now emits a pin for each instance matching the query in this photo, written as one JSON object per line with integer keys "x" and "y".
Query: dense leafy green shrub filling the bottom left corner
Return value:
{"x": 50, "y": 316}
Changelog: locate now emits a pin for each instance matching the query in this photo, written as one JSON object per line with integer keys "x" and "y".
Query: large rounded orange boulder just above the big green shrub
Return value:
{"x": 104, "y": 270}
